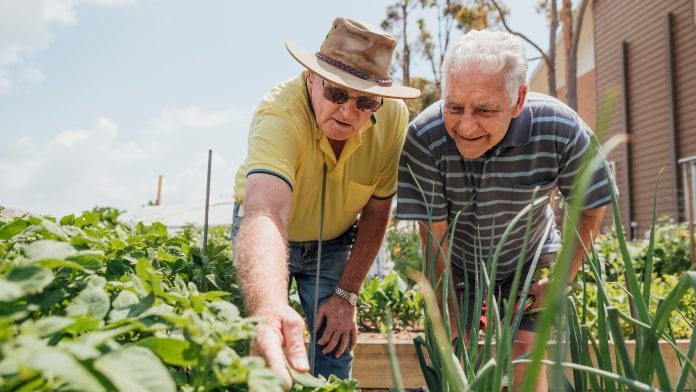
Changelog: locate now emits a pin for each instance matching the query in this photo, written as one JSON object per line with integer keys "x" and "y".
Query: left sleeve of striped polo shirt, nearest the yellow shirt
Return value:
{"x": 421, "y": 190}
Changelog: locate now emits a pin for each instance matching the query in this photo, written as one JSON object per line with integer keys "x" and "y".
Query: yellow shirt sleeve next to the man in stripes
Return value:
{"x": 386, "y": 186}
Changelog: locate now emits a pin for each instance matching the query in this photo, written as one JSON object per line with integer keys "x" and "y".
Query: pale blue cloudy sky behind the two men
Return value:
{"x": 100, "y": 97}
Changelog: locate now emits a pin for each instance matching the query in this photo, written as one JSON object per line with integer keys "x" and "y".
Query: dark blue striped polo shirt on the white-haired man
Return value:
{"x": 543, "y": 147}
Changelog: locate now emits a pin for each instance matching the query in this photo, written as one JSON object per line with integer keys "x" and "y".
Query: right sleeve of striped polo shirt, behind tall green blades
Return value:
{"x": 570, "y": 167}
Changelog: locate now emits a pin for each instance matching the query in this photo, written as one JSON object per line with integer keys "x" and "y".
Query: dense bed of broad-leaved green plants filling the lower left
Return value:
{"x": 89, "y": 303}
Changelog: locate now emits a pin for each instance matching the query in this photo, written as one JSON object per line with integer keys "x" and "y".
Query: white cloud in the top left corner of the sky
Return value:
{"x": 25, "y": 29}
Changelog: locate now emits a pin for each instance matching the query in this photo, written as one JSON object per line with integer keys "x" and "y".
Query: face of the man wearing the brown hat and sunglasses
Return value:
{"x": 337, "y": 121}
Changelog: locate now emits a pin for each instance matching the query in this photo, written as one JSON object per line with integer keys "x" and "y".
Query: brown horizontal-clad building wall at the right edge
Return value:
{"x": 644, "y": 112}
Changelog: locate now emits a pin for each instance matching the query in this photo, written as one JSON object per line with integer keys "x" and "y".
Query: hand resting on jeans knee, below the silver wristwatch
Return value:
{"x": 341, "y": 325}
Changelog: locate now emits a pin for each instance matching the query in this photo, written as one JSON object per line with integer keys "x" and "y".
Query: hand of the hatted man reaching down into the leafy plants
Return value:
{"x": 279, "y": 337}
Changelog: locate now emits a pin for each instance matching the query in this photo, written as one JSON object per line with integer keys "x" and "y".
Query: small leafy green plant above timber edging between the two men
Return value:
{"x": 392, "y": 293}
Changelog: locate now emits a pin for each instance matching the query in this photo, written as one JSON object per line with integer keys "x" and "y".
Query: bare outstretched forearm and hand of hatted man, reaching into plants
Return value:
{"x": 262, "y": 259}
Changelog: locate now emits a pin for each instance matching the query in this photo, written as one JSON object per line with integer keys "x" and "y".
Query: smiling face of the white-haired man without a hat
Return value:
{"x": 477, "y": 110}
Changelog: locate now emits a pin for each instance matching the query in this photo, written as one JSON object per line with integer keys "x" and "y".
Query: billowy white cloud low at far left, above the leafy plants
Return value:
{"x": 71, "y": 170}
